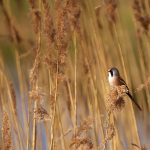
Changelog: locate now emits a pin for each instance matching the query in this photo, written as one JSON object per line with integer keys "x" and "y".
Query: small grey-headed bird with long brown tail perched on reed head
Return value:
{"x": 115, "y": 80}
